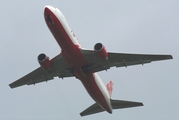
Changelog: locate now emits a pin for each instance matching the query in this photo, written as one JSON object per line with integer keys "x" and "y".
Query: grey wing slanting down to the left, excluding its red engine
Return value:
{"x": 59, "y": 69}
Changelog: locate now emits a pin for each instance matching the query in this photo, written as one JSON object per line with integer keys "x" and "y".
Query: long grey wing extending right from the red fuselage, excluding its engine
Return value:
{"x": 119, "y": 59}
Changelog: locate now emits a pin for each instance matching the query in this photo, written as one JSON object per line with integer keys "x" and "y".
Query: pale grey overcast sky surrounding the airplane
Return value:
{"x": 142, "y": 26}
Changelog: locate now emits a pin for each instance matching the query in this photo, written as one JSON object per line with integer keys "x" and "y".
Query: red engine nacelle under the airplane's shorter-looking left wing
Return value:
{"x": 44, "y": 61}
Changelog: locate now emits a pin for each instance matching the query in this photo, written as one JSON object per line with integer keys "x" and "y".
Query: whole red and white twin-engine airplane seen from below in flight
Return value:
{"x": 75, "y": 61}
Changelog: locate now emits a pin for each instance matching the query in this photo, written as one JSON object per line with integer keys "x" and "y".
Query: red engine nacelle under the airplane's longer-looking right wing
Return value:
{"x": 101, "y": 51}
